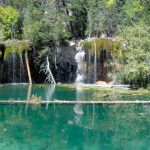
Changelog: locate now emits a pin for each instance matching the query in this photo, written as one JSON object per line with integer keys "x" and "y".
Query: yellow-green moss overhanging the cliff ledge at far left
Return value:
{"x": 15, "y": 46}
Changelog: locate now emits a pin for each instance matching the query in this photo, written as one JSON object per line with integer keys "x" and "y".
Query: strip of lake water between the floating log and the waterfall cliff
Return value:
{"x": 69, "y": 92}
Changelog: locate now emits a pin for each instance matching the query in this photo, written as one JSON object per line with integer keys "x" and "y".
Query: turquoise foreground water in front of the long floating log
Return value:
{"x": 113, "y": 127}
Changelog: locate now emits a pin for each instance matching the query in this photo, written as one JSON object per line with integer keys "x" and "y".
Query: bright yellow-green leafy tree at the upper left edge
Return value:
{"x": 8, "y": 16}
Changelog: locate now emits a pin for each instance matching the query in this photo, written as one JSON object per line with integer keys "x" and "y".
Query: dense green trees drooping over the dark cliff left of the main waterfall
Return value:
{"x": 45, "y": 25}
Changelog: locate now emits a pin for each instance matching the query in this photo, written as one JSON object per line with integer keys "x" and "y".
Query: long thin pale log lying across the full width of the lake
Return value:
{"x": 74, "y": 102}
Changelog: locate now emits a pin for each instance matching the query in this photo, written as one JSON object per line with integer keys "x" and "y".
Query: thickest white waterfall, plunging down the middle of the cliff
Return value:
{"x": 80, "y": 66}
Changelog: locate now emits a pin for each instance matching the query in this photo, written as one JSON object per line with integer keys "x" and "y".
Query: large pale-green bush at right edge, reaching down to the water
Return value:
{"x": 137, "y": 54}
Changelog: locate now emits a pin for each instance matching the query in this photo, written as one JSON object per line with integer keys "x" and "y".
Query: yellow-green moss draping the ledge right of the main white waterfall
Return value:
{"x": 109, "y": 44}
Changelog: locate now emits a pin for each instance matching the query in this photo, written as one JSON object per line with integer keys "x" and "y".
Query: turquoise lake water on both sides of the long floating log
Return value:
{"x": 72, "y": 127}
